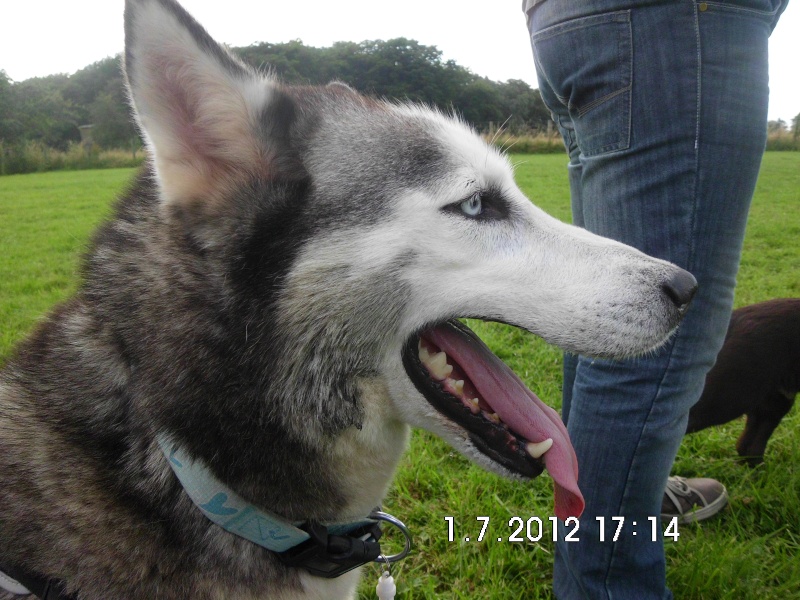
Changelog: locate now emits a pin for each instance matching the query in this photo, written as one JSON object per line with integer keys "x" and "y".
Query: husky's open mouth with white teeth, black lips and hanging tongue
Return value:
{"x": 462, "y": 379}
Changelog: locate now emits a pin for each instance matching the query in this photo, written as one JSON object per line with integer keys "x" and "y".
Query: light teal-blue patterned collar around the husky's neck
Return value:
{"x": 226, "y": 508}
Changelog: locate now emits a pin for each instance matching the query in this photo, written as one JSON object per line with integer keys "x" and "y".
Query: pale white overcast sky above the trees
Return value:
{"x": 42, "y": 37}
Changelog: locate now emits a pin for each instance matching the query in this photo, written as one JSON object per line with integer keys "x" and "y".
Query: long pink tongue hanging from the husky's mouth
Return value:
{"x": 519, "y": 408}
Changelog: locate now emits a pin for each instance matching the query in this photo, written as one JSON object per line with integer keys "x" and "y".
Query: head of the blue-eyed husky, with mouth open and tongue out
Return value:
{"x": 362, "y": 230}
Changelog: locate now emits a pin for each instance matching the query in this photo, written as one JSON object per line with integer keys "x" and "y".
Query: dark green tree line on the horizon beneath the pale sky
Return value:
{"x": 49, "y": 110}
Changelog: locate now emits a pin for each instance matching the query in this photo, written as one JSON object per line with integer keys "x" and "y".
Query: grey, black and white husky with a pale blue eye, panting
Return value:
{"x": 277, "y": 295}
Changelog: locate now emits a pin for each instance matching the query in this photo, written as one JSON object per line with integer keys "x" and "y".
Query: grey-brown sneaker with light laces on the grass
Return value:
{"x": 692, "y": 499}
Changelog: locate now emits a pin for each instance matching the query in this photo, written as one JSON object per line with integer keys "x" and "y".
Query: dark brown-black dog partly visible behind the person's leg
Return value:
{"x": 757, "y": 374}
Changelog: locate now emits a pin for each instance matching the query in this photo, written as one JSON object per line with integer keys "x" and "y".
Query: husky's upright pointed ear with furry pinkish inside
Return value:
{"x": 198, "y": 107}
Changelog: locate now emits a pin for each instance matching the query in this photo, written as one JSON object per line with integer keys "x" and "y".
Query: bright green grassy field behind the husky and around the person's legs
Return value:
{"x": 749, "y": 552}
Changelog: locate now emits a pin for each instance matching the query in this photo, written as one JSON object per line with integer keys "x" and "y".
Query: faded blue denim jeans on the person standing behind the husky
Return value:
{"x": 662, "y": 105}
